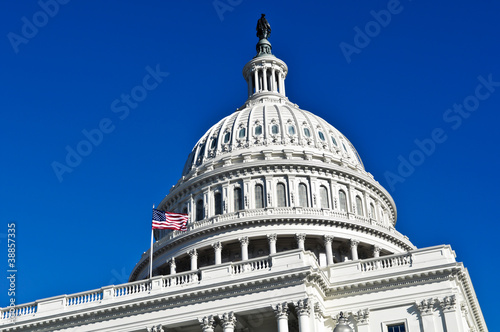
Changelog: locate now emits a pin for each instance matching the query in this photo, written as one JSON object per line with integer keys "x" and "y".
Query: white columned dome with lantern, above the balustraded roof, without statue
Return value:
{"x": 272, "y": 177}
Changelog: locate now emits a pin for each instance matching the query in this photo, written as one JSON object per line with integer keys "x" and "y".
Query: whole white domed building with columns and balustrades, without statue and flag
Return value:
{"x": 286, "y": 231}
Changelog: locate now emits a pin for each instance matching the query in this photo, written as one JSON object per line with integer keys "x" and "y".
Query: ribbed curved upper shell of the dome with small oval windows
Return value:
{"x": 268, "y": 126}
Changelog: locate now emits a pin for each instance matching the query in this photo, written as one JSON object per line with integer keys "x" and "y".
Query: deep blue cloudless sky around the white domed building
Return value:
{"x": 90, "y": 229}
